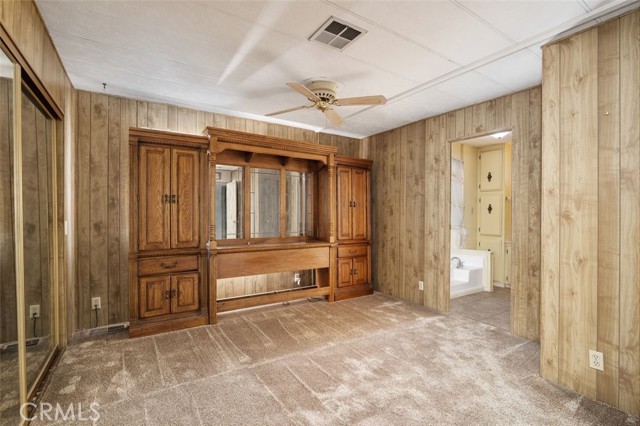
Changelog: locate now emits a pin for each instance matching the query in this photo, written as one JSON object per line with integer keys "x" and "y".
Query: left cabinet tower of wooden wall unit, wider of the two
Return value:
{"x": 168, "y": 240}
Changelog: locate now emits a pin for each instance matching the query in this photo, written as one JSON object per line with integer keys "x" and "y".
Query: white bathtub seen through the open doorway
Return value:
{"x": 475, "y": 274}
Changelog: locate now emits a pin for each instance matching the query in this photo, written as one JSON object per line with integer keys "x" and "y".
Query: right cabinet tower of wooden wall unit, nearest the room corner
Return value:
{"x": 353, "y": 215}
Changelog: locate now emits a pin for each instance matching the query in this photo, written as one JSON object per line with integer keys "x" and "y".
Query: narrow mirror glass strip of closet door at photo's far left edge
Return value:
{"x": 9, "y": 377}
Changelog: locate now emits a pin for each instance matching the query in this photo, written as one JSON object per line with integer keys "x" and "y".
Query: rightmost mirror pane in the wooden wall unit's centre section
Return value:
{"x": 299, "y": 204}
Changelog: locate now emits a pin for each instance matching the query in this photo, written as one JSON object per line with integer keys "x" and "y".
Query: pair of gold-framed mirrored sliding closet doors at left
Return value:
{"x": 28, "y": 251}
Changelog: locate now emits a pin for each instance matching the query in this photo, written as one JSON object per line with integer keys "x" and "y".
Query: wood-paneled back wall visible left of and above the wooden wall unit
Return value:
{"x": 103, "y": 187}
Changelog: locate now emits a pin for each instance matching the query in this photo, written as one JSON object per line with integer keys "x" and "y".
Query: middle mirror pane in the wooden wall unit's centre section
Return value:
{"x": 265, "y": 203}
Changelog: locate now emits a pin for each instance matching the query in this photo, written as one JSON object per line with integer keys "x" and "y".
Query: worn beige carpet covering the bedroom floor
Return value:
{"x": 366, "y": 361}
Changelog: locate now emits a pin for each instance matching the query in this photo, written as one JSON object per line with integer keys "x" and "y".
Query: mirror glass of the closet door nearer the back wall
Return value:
{"x": 37, "y": 144}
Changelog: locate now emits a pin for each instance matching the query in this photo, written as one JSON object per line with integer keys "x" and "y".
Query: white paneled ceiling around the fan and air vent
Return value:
{"x": 234, "y": 57}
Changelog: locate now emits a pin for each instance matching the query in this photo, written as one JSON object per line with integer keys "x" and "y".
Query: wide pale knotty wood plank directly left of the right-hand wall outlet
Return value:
{"x": 578, "y": 208}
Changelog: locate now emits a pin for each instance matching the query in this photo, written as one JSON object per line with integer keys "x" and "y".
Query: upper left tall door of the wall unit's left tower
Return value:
{"x": 154, "y": 191}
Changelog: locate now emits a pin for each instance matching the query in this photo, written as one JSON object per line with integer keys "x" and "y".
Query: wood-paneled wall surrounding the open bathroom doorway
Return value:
{"x": 411, "y": 203}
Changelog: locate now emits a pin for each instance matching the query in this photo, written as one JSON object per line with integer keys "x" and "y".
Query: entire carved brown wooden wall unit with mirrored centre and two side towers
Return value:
{"x": 285, "y": 209}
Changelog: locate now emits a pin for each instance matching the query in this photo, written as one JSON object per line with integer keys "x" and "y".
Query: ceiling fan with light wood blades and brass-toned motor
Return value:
{"x": 323, "y": 95}
